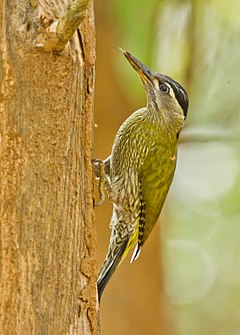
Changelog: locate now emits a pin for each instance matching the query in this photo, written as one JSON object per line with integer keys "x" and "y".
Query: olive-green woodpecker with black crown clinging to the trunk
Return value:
{"x": 140, "y": 169}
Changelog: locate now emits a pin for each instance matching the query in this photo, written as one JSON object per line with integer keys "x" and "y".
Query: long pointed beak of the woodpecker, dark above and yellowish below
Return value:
{"x": 146, "y": 75}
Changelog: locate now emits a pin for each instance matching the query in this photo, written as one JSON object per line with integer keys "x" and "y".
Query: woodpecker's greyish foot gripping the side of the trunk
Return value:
{"x": 100, "y": 173}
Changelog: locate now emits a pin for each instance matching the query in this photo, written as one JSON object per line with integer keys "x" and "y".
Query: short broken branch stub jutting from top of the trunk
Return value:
{"x": 57, "y": 36}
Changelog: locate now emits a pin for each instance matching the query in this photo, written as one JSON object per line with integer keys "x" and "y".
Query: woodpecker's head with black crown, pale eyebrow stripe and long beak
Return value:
{"x": 164, "y": 94}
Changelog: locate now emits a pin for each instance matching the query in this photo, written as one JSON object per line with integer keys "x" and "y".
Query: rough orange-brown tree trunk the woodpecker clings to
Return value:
{"x": 48, "y": 243}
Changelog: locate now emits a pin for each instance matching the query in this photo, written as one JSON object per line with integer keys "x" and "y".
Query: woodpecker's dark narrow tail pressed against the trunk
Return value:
{"x": 109, "y": 266}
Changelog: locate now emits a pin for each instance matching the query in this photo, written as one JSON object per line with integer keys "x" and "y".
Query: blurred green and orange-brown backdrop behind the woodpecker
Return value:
{"x": 187, "y": 280}
